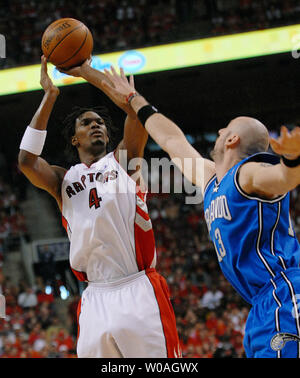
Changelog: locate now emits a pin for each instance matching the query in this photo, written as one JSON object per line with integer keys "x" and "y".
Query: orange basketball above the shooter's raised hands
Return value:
{"x": 67, "y": 43}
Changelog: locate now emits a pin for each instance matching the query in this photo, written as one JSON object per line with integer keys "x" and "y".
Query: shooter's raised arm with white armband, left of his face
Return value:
{"x": 36, "y": 169}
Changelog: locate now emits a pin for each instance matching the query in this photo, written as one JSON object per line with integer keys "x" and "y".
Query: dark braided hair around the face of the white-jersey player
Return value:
{"x": 69, "y": 125}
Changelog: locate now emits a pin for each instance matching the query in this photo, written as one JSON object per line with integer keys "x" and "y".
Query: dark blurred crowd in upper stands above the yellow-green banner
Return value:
{"x": 122, "y": 25}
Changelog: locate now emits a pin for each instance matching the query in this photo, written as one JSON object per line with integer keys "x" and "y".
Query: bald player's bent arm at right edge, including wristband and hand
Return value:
{"x": 271, "y": 181}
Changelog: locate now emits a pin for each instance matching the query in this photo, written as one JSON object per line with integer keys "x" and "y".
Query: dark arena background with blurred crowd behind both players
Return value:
{"x": 40, "y": 290}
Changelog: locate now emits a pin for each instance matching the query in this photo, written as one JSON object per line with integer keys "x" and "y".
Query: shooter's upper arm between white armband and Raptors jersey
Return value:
{"x": 41, "y": 174}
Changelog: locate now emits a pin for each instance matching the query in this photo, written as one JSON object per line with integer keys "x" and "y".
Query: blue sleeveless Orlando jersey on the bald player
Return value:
{"x": 253, "y": 237}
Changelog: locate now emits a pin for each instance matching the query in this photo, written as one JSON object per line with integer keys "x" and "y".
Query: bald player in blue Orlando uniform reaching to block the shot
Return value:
{"x": 246, "y": 205}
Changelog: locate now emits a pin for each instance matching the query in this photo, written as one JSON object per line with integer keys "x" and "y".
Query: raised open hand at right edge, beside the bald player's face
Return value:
{"x": 288, "y": 143}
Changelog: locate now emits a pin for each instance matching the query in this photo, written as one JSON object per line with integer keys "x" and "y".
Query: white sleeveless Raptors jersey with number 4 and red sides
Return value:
{"x": 107, "y": 222}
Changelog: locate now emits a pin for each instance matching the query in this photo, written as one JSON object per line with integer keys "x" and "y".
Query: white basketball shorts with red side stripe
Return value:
{"x": 132, "y": 317}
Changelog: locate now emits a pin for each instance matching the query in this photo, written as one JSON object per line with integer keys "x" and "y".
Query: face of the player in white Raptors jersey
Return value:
{"x": 90, "y": 132}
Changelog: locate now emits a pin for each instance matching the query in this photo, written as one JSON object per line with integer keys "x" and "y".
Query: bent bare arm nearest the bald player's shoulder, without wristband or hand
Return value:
{"x": 267, "y": 181}
